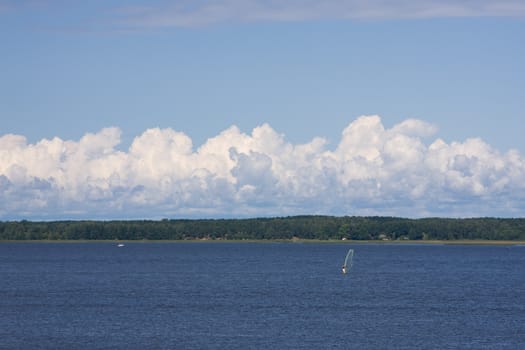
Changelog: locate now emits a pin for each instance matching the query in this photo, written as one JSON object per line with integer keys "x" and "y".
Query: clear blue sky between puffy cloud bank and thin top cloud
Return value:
{"x": 65, "y": 75}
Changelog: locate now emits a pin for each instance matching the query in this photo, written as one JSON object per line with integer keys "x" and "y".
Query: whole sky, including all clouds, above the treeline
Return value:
{"x": 123, "y": 109}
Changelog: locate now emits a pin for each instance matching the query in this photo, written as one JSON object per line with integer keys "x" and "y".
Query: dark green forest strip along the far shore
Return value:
{"x": 294, "y": 227}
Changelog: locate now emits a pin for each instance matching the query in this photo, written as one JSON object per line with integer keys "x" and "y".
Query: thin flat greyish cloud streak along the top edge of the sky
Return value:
{"x": 206, "y": 12}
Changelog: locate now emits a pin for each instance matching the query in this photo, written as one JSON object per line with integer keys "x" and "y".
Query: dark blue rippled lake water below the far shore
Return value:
{"x": 261, "y": 296}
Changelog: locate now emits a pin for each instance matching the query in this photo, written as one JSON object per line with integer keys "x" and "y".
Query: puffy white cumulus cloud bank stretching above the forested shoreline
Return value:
{"x": 371, "y": 171}
